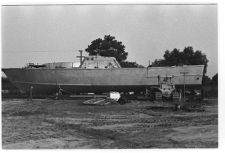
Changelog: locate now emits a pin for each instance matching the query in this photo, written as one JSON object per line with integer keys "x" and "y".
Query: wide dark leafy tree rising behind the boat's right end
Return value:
{"x": 187, "y": 57}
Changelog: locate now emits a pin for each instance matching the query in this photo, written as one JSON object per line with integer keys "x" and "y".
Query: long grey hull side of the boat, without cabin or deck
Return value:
{"x": 100, "y": 80}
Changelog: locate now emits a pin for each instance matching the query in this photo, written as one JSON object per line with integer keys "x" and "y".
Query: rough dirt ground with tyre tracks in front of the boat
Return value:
{"x": 138, "y": 124}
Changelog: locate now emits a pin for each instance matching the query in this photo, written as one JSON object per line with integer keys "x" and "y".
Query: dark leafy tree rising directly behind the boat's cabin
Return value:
{"x": 110, "y": 47}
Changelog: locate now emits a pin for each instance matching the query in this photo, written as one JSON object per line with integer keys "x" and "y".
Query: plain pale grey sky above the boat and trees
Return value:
{"x": 55, "y": 33}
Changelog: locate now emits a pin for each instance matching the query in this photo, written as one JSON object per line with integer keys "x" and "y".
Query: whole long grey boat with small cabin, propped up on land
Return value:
{"x": 97, "y": 74}
